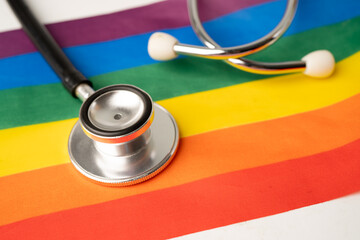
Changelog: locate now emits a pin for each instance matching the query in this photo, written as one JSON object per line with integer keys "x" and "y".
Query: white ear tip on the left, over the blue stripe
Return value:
{"x": 161, "y": 46}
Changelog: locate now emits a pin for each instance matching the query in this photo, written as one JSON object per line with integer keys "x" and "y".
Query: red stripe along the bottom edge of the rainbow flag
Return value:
{"x": 207, "y": 203}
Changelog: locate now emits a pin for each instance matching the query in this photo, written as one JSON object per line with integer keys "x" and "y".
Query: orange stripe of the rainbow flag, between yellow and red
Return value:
{"x": 57, "y": 188}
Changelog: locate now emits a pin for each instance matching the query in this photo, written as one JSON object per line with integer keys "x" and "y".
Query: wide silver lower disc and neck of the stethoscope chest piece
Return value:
{"x": 121, "y": 166}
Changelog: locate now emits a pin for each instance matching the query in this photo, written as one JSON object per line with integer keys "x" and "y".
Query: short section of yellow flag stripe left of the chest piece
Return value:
{"x": 32, "y": 147}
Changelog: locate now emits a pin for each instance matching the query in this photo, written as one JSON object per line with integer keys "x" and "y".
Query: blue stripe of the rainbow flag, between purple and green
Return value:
{"x": 104, "y": 57}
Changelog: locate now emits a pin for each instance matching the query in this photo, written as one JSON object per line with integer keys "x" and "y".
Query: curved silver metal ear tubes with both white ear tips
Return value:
{"x": 163, "y": 46}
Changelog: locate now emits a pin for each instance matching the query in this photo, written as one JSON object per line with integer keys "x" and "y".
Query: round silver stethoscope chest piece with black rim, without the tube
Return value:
{"x": 122, "y": 137}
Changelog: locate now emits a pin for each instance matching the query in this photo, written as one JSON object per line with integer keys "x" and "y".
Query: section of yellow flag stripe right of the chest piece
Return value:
{"x": 263, "y": 100}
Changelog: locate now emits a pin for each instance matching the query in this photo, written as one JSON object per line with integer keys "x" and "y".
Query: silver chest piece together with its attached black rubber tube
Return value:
{"x": 122, "y": 137}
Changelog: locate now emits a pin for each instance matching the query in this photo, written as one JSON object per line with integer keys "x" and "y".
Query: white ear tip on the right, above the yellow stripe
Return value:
{"x": 319, "y": 64}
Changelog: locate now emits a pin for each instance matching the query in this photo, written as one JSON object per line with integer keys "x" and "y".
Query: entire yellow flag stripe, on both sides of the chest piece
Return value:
{"x": 42, "y": 145}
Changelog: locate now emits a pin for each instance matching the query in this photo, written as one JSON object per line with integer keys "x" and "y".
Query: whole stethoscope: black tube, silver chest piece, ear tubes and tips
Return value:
{"x": 122, "y": 137}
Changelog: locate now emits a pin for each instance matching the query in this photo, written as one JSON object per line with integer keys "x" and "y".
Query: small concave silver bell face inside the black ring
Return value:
{"x": 116, "y": 110}
